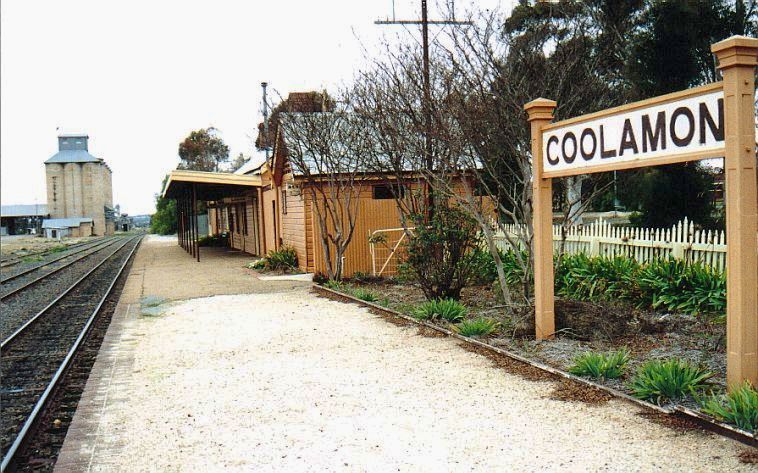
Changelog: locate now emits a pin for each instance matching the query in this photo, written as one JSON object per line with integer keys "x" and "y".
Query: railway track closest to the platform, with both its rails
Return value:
{"x": 37, "y": 355}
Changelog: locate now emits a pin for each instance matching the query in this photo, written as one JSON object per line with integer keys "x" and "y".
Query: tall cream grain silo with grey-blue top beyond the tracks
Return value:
{"x": 79, "y": 185}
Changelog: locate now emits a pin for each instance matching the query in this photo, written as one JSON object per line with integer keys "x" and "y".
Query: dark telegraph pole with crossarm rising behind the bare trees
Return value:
{"x": 427, "y": 110}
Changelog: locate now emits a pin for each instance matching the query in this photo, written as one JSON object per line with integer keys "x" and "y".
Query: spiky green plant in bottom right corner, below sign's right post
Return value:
{"x": 739, "y": 407}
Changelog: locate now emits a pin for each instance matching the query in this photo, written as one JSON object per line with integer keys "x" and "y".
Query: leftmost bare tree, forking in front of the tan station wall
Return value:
{"x": 329, "y": 151}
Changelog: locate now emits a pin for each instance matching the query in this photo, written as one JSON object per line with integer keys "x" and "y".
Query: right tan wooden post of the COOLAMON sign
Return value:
{"x": 737, "y": 57}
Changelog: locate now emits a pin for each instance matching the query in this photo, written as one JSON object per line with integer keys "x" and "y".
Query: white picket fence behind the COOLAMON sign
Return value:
{"x": 681, "y": 241}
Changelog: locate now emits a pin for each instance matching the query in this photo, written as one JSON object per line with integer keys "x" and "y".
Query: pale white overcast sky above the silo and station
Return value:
{"x": 138, "y": 76}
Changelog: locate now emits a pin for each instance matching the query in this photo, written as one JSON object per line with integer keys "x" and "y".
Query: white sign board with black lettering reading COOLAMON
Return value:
{"x": 686, "y": 126}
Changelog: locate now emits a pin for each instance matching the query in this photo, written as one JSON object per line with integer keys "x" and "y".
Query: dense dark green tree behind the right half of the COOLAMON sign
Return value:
{"x": 670, "y": 51}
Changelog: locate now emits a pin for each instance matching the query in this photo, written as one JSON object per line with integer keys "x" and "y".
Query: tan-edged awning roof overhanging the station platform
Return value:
{"x": 209, "y": 185}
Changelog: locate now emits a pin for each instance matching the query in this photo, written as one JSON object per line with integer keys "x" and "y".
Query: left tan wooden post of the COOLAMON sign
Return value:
{"x": 540, "y": 113}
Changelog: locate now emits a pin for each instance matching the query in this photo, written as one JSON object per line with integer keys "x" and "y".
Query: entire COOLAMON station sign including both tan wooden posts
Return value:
{"x": 705, "y": 122}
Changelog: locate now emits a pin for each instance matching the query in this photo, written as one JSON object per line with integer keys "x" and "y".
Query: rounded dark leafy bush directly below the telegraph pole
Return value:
{"x": 436, "y": 252}
